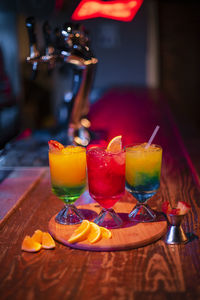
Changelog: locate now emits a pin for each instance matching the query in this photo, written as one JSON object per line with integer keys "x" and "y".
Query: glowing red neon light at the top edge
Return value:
{"x": 116, "y": 9}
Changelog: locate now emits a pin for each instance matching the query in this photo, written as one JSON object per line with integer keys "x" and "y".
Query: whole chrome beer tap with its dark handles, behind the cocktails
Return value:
{"x": 71, "y": 46}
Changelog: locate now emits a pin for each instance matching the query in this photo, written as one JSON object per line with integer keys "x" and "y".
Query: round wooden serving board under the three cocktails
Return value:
{"x": 130, "y": 235}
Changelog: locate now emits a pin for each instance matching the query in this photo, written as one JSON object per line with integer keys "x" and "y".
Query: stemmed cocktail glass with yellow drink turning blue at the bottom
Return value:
{"x": 143, "y": 168}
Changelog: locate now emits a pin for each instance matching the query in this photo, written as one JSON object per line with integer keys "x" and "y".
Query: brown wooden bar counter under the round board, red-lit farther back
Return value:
{"x": 156, "y": 271}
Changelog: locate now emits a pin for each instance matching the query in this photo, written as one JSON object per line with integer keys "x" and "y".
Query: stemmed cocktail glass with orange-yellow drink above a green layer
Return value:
{"x": 68, "y": 180}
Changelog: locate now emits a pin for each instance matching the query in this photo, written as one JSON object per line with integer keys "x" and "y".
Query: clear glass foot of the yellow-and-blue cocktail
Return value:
{"x": 142, "y": 213}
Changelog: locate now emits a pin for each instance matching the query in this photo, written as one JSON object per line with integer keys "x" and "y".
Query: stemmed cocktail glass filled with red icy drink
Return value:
{"x": 106, "y": 181}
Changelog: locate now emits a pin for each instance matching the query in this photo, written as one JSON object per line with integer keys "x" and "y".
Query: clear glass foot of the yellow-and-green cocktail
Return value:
{"x": 69, "y": 215}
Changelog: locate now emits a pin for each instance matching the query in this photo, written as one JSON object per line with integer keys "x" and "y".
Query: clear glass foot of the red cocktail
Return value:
{"x": 108, "y": 218}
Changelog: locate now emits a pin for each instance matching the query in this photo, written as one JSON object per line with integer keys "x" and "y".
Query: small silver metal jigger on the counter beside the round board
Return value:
{"x": 175, "y": 233}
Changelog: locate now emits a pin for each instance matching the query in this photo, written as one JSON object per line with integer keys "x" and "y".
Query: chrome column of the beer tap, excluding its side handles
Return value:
{"x": 84, "y": 65}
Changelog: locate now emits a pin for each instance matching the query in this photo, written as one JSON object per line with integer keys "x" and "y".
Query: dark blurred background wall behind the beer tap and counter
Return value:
{"x": 158, "y": 49}
